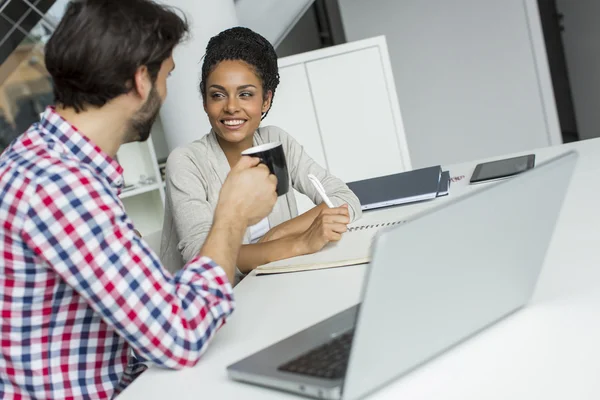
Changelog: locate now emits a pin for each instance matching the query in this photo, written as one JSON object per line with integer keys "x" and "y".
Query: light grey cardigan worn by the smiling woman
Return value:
{"x": 195, "y": 174}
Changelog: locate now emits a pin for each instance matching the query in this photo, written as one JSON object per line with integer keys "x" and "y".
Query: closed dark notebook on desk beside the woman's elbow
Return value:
{"x": 406, "y": 187}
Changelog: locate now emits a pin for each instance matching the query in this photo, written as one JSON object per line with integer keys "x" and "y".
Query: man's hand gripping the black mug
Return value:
{"x": 248, "y": 192}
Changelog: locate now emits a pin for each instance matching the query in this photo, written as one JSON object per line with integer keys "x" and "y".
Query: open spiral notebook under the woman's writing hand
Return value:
{"x": 354, "y": 248}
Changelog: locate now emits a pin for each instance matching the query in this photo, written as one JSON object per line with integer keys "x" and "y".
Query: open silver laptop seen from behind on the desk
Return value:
{"x": 433, "y": 282}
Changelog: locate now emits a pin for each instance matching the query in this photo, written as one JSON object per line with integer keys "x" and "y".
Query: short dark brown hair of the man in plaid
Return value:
{"x": 99, "y": 45}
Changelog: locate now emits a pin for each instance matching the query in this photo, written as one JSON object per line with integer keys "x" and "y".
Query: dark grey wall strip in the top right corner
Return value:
{"x": 581, "y": 39}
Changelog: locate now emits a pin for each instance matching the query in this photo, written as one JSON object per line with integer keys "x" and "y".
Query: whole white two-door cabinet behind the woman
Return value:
{"x": 340, "y": 103}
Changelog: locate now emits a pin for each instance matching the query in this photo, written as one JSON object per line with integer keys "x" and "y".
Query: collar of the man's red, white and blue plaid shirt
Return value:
{"x": 82, "y": 148}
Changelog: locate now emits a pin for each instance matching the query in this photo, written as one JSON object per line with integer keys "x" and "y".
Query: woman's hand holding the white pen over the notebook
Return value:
{"x": 329, "y": 226}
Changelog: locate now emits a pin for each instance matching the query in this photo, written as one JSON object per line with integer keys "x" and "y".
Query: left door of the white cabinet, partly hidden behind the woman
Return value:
{"x": 293, "y": 111}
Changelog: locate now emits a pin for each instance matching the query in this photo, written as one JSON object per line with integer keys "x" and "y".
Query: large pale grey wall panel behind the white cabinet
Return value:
{"x": 470, "y": 82}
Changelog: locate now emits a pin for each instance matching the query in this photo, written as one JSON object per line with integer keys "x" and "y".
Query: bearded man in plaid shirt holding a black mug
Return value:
{"x": 80, "y": 291}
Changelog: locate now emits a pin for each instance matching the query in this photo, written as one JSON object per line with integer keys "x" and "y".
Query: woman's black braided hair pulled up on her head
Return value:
{"x": 244, "y": 45}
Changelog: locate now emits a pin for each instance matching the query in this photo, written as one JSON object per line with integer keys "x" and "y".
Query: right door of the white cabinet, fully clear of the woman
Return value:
{"x": 355, "y": 115}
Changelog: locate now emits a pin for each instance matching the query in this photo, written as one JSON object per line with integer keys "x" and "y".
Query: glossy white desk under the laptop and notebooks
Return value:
{"x": 550, "y": 350}
